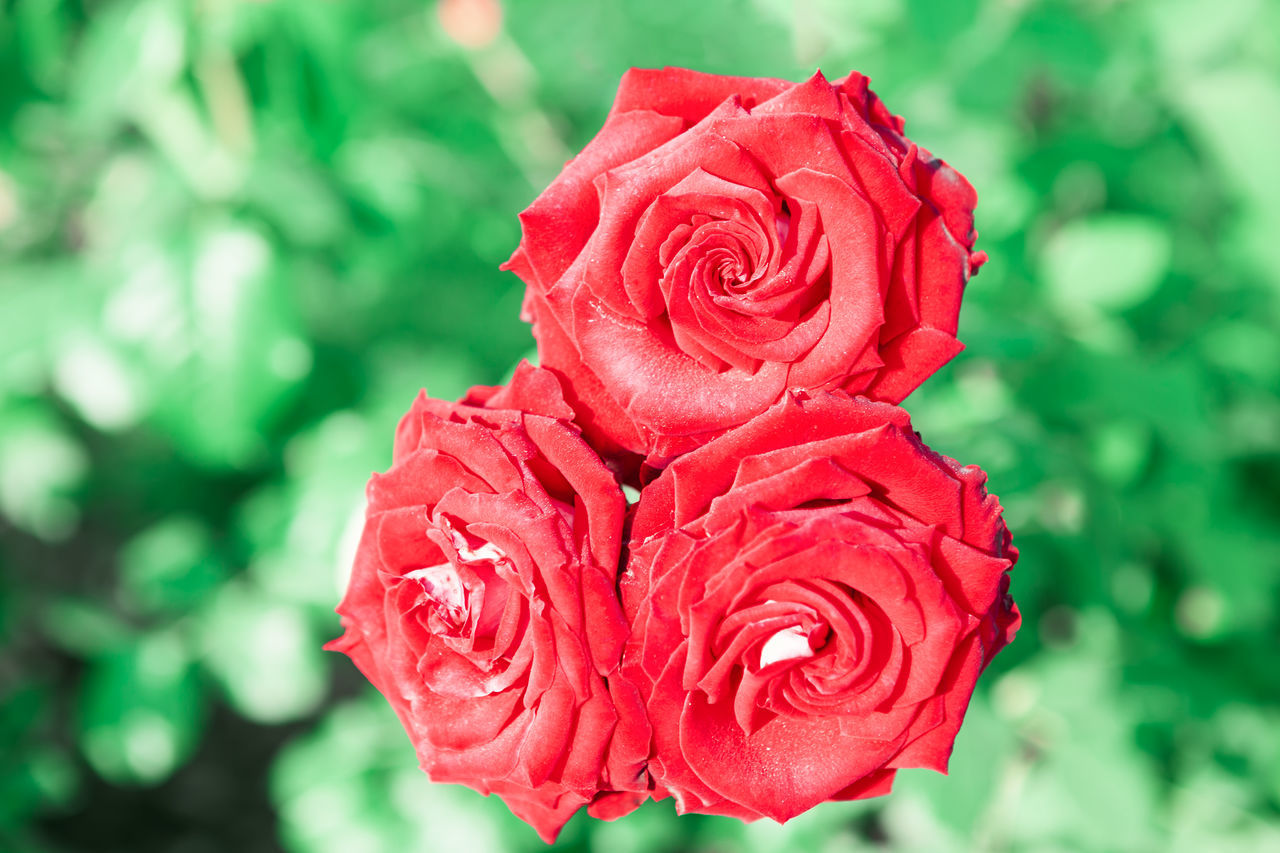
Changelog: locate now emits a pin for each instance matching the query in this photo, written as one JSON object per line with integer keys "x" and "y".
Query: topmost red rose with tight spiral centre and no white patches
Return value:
{"x": 726, "y": 239}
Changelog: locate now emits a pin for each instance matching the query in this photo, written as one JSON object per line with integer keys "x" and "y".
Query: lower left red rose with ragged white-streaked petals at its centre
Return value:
{"x": 483, "y": 603}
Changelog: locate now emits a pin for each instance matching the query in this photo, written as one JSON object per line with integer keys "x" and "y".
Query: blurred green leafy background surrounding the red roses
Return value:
{"x": 237, "y": 238}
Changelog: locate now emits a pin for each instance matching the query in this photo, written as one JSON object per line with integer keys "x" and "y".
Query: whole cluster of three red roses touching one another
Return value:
{"x": 732, "y": 289}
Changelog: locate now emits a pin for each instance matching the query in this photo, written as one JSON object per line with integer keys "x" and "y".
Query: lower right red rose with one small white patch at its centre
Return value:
{"x": 812, "y": 597}
